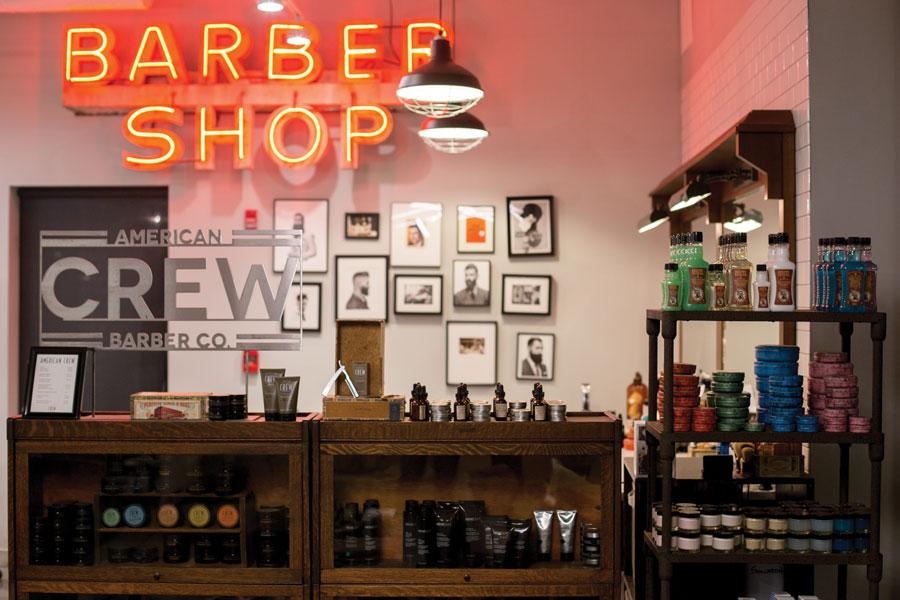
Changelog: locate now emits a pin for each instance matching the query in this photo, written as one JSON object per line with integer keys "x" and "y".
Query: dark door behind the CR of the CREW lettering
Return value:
{"x": 119, "y": 373}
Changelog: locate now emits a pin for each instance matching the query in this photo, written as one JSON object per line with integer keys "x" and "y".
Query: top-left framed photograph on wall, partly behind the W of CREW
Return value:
{"x": 312, "y": 217}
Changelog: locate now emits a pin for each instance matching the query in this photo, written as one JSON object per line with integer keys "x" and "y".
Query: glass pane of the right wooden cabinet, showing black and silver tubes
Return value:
{"x": 471, "y": 511}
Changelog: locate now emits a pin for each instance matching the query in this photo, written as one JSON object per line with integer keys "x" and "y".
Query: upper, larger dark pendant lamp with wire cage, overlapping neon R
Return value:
{"x": 440, "y": 88}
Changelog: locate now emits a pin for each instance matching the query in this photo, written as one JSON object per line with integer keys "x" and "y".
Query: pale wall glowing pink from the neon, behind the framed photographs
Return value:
{"x": 565, "y": 120}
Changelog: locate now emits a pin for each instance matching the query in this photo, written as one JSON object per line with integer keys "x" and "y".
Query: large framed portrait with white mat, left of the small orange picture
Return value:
{"x": 416, "y": 234}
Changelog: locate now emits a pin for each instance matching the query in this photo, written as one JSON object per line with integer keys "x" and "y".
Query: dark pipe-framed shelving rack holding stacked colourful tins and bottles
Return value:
{"x": 661, "y": 443}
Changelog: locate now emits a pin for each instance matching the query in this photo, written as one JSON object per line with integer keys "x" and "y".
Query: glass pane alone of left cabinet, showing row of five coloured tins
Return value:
{"x": 179, "y": 510}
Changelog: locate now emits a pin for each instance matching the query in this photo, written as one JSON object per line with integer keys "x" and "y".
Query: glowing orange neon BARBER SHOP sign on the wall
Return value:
{"x": 154, "y": 87}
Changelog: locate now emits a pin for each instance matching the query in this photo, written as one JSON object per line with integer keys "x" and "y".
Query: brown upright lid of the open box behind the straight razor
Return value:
{"x": 361, "y": 342}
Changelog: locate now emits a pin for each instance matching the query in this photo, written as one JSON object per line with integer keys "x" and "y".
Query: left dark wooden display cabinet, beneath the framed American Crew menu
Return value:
{"x": 54, "y": 461}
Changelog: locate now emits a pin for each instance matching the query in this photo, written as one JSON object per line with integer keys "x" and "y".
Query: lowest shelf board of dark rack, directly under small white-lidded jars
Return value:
{"x": 741, "y": 556}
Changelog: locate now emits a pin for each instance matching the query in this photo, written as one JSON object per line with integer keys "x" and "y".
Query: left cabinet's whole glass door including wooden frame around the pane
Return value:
{"x": 171, "y": 512}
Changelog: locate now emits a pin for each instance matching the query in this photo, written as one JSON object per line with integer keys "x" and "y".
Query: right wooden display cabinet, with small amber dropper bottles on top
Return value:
{"x": 515, "y": 468}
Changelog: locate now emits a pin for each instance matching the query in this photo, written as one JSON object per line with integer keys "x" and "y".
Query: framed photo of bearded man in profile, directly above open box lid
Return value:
{"x": 360, "y": 290}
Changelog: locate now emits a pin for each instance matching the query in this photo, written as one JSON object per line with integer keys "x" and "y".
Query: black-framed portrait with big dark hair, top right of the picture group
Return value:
{"x": 530, "y": 225}
